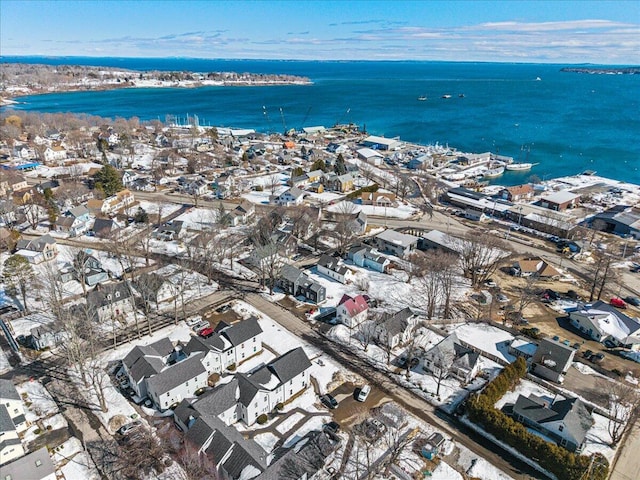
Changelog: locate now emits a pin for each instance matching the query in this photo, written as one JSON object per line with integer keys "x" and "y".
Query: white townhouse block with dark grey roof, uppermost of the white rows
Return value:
{"x": 228, "y": 345}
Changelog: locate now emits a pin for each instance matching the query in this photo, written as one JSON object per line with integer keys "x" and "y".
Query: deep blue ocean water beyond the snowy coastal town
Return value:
{"x": 567, "y": 122}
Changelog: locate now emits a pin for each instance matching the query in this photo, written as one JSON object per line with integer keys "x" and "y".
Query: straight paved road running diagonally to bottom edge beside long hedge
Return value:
{"x": 413, "y": 403}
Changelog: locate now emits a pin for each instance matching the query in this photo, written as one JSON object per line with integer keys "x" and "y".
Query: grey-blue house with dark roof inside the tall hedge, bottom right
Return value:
{"x": 566, "y": 421}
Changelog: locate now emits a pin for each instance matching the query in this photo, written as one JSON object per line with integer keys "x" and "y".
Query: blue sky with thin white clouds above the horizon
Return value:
{"x": 605, "y": 32}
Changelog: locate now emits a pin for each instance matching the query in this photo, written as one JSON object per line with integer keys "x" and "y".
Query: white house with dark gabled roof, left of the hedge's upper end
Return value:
{"x": 451, "y": 358}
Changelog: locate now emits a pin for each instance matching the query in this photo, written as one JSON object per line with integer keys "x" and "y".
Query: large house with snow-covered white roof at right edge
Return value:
{"x": 602, "y": 321}
